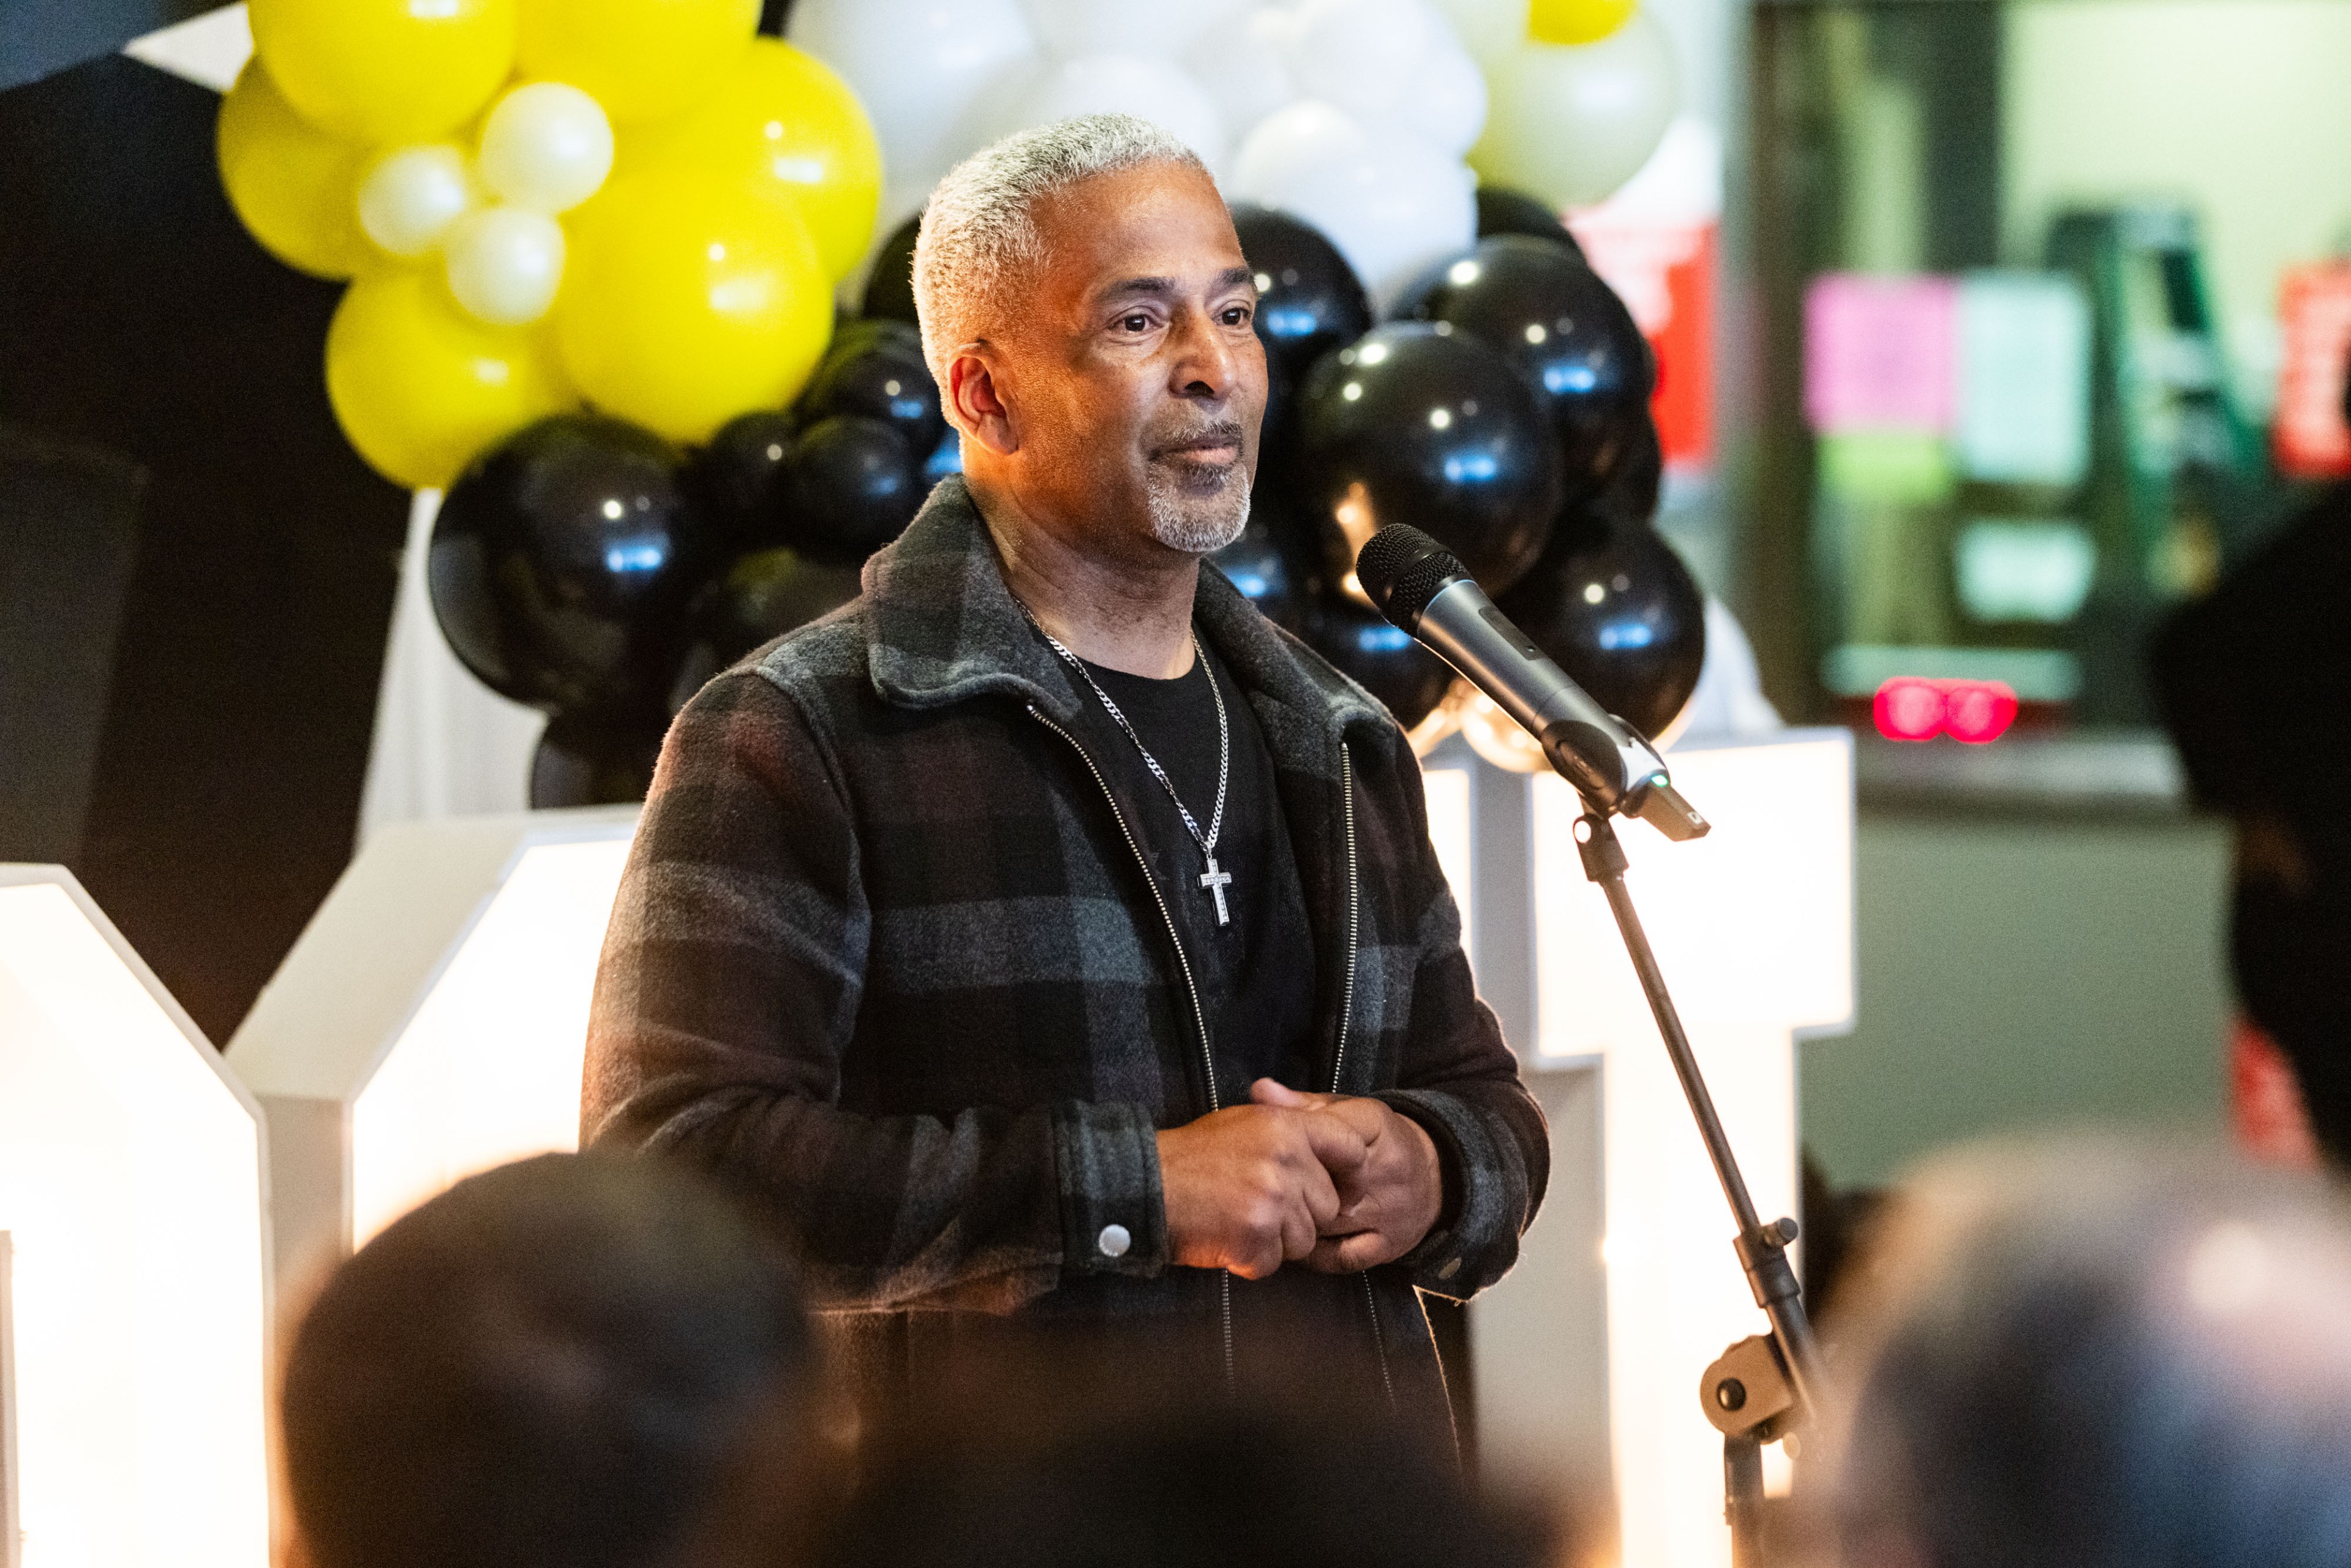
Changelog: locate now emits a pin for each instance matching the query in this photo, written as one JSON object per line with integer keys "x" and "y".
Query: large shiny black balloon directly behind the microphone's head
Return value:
{"x": 1428, "y": 427}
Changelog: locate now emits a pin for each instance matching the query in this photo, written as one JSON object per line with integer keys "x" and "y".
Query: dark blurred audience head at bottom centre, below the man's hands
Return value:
{"x": 1127, "y": 1470}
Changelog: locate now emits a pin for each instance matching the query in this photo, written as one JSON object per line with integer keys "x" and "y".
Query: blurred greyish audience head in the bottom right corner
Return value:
{"x": 2089, "y": 1355}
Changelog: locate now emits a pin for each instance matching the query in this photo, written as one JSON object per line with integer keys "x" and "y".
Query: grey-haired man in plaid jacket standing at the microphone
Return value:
{"x": 1045, "y": 937}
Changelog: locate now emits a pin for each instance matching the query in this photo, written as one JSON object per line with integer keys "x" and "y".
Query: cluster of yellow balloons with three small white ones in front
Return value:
{"x": 631, "y": 206}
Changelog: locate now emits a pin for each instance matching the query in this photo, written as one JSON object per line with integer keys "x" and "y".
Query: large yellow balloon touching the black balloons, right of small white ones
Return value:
{"x": 690, "y": 302}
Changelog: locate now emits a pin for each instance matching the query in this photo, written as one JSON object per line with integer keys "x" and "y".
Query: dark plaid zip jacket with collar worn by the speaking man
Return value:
{"x": 890, "y": 958}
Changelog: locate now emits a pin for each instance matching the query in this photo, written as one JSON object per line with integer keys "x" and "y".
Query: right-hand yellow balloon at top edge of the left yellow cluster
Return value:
{"x": 641, "y": 60}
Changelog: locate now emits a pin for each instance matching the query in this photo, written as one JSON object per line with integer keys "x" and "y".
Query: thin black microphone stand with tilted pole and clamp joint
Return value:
{"x": 1762, "y": 1388}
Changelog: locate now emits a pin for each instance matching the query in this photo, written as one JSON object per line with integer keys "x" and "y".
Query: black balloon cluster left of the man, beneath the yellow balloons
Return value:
{"x": 598, "y": 572}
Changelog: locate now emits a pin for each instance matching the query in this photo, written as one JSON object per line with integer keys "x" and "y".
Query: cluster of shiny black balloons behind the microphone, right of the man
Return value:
{"x": 1506, "y": 413}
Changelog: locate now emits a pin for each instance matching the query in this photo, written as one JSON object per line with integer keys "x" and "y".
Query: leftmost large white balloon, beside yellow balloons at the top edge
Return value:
{"x": 918, "y": 67}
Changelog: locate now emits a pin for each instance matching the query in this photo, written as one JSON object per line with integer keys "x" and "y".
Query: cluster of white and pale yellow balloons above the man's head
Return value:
{"x": 1353, "y": 116}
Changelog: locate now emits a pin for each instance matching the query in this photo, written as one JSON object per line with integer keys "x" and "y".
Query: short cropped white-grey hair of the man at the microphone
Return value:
{"x": 977, "y": 232}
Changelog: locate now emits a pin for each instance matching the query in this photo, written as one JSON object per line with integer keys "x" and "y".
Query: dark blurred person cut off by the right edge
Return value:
{"x": 2256, "y": 690}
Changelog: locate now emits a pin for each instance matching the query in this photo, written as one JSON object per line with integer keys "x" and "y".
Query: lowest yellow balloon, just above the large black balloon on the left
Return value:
{"x": 420, "y": 387}
